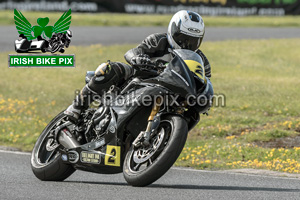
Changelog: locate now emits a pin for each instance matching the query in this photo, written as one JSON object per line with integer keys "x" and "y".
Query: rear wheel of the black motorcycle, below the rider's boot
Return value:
{"x": 47, "y": 165}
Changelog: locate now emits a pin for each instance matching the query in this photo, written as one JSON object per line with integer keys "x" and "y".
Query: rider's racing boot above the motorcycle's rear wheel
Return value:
{"x": 80, "y": 103}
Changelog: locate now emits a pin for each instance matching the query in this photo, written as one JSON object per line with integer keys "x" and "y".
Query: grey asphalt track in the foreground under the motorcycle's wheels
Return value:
{"x": 18, "y": 182}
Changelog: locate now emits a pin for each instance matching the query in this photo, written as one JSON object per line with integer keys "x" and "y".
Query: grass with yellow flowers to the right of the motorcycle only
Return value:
{"x": 260, "y": 81}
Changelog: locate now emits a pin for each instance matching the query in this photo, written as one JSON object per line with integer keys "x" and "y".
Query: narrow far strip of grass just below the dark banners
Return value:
{"x": 116, "y": 19}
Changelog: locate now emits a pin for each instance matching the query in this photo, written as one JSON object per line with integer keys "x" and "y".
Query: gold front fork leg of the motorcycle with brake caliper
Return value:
{"x": 144, "y": 137}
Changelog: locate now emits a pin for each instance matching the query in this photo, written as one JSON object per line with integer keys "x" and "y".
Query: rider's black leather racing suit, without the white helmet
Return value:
{"x": 155, "y": 46}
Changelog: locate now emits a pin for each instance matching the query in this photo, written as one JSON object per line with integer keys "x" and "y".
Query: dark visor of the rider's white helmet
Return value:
{"x": 186, "y": 41}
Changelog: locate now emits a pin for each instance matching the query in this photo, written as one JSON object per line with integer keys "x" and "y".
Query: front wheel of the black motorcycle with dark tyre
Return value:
{"x": 144, "y": 165}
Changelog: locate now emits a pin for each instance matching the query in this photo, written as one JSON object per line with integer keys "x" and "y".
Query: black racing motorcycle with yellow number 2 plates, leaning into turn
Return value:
{"x": 143, "y": 141}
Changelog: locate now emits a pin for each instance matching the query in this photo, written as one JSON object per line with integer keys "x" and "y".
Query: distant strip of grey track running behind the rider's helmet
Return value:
{"x": 129, "y": 35}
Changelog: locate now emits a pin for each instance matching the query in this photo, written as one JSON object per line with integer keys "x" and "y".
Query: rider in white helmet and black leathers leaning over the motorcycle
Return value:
{"x": 185, "y": 31}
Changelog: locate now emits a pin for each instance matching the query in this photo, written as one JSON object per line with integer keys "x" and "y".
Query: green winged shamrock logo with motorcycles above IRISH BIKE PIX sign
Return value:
{"x": 42, "y": 38}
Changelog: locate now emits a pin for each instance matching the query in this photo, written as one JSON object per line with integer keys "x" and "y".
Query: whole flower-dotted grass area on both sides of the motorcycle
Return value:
{"x": 260, "y": 79}
